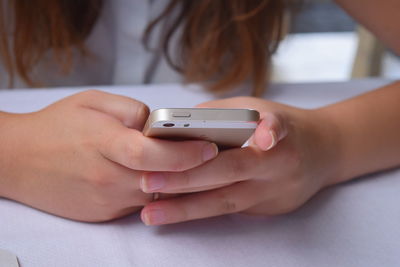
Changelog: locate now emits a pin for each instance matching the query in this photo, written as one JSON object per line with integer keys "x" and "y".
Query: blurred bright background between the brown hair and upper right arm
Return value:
{"x": 325, "y": 44}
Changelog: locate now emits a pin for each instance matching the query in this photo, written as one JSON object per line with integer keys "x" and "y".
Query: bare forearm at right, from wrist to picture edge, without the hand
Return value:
{"x": 368, "y": 130}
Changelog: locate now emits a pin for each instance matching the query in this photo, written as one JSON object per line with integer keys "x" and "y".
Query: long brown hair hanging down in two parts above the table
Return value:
{"x": 225, "y": 42}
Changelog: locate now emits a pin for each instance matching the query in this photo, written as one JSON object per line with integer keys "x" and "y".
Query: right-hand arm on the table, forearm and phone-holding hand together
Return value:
{"x": 294, "y": 154}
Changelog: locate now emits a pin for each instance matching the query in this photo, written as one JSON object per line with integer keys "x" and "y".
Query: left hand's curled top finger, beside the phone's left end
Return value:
{"x": 130, "y": 112}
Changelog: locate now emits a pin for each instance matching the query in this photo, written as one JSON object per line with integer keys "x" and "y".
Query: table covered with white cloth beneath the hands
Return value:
{"x": 353, "y": 224}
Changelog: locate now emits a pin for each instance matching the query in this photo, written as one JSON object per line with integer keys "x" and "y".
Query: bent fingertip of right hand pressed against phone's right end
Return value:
{"x": 271, "y": 129}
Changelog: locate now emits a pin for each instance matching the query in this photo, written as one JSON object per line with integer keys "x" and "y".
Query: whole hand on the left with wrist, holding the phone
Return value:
{"x": 82, "y": 157}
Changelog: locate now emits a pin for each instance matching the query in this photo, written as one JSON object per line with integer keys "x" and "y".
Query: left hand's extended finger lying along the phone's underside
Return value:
{"x": 133, "y": 150}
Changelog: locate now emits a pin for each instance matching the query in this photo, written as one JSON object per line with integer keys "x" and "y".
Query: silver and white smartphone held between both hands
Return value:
{"x": 226, "y": 128}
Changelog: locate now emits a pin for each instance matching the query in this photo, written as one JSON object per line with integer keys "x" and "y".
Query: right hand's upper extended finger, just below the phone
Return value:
{"x": 230, "y": 166}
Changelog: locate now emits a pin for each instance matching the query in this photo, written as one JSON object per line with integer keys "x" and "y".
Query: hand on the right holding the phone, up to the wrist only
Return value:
{"x": 291, "y": 156}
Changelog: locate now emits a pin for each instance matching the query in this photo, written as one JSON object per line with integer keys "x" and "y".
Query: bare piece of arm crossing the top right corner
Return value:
{"x": 380, "y": 17}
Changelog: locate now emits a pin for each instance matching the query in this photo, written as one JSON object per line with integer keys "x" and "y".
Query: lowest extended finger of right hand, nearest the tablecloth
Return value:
{"x": 231, "y": 199}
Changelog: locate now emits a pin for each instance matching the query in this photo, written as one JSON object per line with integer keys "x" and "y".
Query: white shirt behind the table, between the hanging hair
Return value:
{"x": 119, "y": 56}
